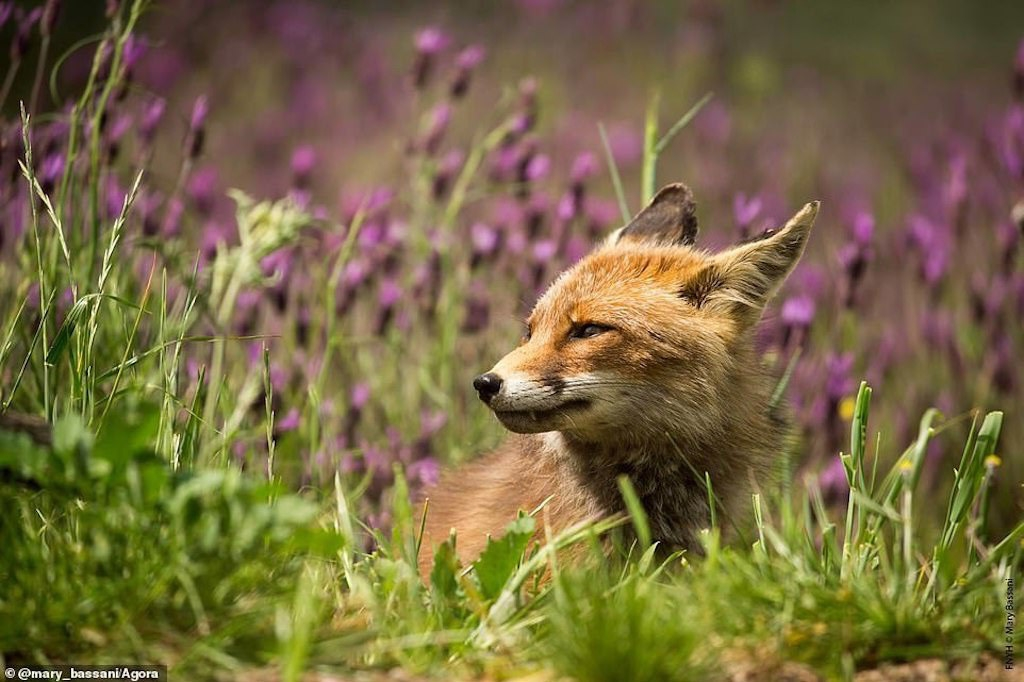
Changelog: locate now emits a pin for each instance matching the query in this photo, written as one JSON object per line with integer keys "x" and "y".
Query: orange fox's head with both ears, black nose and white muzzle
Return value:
{"x": 648, "y": 334}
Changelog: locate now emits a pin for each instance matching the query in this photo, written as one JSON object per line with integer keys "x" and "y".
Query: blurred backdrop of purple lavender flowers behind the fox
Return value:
{"x": 463, "y": 141}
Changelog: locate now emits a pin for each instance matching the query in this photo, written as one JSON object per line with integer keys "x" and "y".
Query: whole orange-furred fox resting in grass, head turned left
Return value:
{"x": 641, "y": 360}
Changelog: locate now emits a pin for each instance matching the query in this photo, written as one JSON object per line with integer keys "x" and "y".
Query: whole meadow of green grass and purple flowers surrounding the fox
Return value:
{"x": 247, "y": 277}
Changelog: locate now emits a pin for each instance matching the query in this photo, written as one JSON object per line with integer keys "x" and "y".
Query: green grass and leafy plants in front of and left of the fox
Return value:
{"x": 136, "y": 534}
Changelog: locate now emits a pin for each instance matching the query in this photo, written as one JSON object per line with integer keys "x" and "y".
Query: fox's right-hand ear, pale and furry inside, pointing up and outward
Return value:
{"x": 744, "y": 279}
